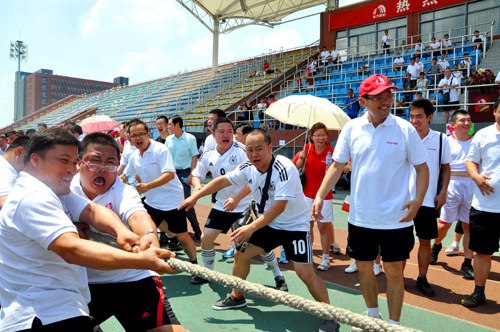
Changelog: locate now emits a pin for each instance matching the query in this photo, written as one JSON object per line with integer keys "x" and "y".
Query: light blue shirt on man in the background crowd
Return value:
{"x": 182, "y": 149}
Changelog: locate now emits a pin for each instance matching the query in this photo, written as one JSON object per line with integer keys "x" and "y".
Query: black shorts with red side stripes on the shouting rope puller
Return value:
{"x": 137, "y": 305}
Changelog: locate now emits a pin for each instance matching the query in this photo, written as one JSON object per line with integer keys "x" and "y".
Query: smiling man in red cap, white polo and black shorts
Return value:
{"x": 383, "y": 149}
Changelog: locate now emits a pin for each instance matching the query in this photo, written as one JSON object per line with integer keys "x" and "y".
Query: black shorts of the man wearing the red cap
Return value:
{"x": 395, "y": 244}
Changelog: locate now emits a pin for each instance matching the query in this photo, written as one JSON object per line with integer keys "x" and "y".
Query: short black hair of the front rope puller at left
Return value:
{"x": 40, "y": 142}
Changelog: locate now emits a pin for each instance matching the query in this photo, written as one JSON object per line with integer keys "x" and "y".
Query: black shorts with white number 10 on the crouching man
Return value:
{"x": 297, "y": 244}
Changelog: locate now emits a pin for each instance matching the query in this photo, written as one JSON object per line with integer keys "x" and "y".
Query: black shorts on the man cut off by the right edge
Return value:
{"x": 484, "y": 231}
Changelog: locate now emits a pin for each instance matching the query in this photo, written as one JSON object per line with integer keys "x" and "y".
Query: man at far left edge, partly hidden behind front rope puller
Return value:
{"x": 11, "y": 164}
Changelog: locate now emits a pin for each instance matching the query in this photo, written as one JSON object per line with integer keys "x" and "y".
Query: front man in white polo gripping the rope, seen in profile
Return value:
{"x": 43, "y": 285}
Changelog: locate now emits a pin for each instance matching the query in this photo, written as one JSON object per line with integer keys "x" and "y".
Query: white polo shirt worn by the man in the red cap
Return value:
{"x": 382, "y": 162}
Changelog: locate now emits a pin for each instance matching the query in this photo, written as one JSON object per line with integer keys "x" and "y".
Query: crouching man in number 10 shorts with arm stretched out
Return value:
{"x": 284, "y": 220}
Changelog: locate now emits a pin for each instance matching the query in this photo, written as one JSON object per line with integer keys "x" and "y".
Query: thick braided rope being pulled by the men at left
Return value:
{"x": 319, "y": 309}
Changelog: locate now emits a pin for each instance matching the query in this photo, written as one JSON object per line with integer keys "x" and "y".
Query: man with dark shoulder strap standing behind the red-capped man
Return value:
{"x": 438, "y": 161}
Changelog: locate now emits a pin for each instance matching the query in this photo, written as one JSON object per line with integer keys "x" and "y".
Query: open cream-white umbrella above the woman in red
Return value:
{"x": 305, "y": 111}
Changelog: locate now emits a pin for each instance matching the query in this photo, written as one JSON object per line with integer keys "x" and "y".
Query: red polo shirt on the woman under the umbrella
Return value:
{"x": 315, "y": 170}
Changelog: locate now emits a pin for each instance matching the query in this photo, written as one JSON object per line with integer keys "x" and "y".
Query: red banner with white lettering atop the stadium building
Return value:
{"x": 382, "y": 11}
